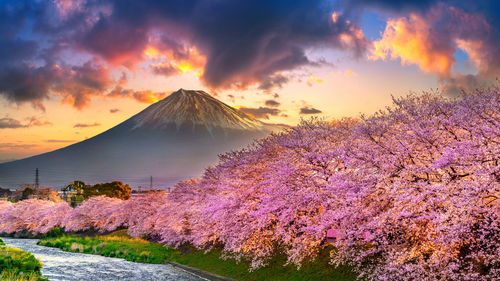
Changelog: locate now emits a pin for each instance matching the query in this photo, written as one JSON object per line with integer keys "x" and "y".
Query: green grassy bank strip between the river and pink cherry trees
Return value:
{"x": 118, "y": 244}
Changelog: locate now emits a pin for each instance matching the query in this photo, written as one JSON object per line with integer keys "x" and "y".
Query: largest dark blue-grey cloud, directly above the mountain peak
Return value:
{"x": 244, "y": 42}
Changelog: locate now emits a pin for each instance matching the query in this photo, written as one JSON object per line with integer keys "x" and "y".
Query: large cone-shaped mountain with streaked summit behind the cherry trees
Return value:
{"x": 171, "y": 140}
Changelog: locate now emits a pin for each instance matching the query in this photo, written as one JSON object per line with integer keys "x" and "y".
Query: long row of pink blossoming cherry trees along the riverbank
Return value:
{"x": 409, "y": 193}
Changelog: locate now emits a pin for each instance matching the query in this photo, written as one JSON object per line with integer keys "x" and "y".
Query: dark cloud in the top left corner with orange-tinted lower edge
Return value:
{"x": 31, "y": 70}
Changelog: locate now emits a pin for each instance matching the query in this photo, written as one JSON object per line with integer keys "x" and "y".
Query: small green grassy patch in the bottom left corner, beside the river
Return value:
{"x": 17, "y": 265}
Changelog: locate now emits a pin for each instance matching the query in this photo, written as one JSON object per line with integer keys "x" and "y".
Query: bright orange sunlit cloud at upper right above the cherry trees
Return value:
{"x": 431, "y": 40}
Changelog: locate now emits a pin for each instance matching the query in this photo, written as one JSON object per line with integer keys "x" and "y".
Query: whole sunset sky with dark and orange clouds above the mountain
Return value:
{"x": 72, "y": 69}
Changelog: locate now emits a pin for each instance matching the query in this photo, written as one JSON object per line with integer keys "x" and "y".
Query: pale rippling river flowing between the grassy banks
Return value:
{"x": 60, "y": 265}
